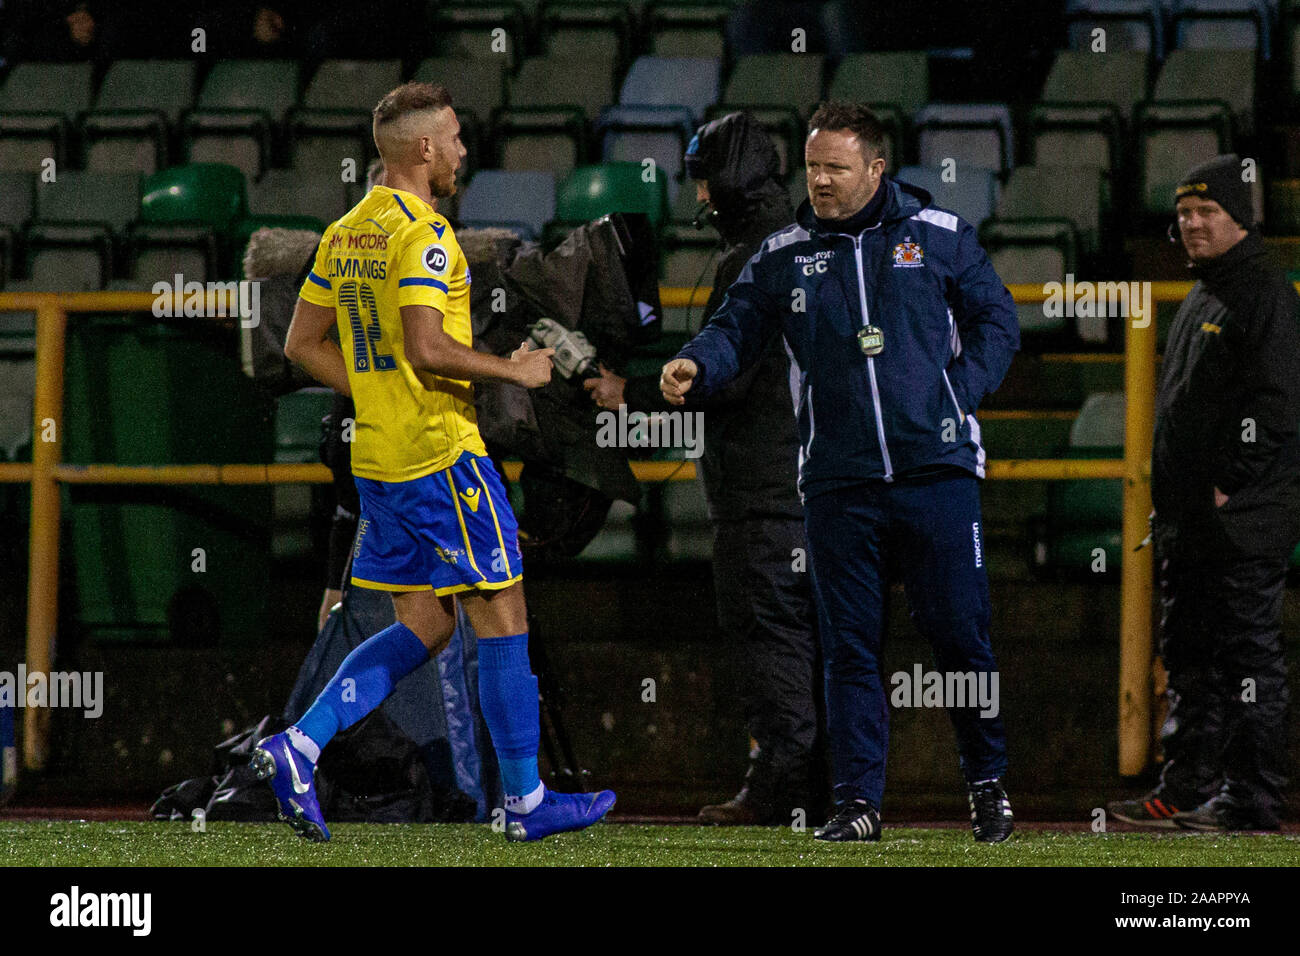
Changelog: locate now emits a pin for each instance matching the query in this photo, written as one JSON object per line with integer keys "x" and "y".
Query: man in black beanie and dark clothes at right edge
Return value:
{"x": 1227, "y": 495}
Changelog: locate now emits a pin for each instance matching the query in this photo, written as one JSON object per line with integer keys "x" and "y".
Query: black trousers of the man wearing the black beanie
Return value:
{"x": 1221, "y": 638}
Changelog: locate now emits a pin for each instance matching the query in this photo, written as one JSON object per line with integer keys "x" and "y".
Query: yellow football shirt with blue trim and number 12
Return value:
{"x": 395, "y": 250}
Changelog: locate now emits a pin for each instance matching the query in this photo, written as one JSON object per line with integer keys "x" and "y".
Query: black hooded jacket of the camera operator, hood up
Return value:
{"x": 752, "y": 443}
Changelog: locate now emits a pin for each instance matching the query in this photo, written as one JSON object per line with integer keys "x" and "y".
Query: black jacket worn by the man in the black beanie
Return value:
{"x": 1228, "y": 412}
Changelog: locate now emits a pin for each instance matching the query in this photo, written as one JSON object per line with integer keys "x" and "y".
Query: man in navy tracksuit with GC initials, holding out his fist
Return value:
{"x": 898, "y": 328}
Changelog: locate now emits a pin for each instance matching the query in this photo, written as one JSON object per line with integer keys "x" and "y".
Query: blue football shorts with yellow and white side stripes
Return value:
{"x": 449, "y": 531}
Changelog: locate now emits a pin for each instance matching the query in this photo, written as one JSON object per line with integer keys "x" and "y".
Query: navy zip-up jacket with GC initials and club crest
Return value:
{"x": 948, "y": 325}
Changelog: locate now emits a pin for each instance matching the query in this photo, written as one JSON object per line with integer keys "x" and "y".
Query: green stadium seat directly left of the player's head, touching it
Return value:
{"x": 335, "y": 122}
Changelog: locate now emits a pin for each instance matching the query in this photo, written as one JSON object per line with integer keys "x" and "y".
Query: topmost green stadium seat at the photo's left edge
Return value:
{"x": 38, "y": 106}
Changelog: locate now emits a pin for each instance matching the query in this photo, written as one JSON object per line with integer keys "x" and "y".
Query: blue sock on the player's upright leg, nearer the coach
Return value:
{"x": 508, "y": 694}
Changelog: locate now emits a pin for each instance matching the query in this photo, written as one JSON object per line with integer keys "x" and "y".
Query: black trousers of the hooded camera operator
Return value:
{"x": 765, "y": 609}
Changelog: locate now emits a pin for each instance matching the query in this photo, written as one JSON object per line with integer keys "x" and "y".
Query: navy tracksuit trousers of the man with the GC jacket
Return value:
{"x": 929, "y": 529}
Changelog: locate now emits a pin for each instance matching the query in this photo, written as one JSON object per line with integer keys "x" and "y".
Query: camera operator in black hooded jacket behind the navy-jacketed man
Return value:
{"x": 749, "y": 469}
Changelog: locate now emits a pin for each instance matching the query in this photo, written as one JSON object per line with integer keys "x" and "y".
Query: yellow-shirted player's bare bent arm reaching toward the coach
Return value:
{"x": 431, "y": 351}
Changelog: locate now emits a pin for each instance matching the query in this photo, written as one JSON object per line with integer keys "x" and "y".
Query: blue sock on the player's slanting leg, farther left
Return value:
{"x": 362, "y": 682}
